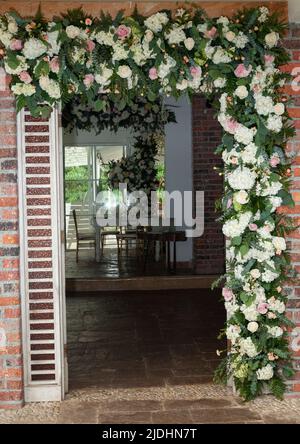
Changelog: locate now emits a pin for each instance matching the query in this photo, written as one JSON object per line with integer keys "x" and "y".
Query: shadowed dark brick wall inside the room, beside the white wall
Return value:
{"x": 206, "y": 137}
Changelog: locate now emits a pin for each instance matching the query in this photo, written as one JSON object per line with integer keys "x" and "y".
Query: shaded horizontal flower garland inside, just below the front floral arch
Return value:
{"x": 141, "y": 116}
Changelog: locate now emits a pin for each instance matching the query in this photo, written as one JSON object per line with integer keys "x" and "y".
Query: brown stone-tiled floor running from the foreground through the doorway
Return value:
{"x": 148, "y": 358}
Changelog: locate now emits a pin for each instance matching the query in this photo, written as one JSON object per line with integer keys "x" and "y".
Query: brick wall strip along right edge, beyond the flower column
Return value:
{"x": 292, "y": 42}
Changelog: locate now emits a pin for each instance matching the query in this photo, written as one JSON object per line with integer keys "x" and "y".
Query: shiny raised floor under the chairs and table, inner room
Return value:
{"x": 125, "y": 272}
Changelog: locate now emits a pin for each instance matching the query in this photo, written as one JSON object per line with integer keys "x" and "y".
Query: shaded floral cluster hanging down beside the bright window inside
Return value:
{"x": 139, "y": 170}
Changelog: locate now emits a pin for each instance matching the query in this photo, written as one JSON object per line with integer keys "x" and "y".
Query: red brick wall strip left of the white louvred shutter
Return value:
{"x": 11, "y": 393}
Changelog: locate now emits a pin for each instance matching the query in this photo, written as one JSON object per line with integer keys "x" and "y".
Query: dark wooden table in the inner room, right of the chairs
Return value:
{"x": 164, "y": 237}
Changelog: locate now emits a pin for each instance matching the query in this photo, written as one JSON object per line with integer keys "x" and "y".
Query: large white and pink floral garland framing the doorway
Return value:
{"x": 185, "y": 51}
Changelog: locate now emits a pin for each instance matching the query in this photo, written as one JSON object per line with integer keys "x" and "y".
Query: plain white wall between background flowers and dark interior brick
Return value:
{"x": 178, "y": 160}
